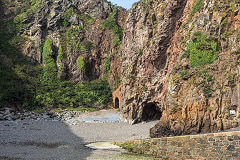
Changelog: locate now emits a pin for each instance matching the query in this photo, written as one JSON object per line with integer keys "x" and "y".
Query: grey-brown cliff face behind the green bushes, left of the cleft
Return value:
{"x": 75, "y": 26}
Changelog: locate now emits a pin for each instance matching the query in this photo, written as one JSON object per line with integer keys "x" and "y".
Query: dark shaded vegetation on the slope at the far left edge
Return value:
{"x": 17, "y": 76}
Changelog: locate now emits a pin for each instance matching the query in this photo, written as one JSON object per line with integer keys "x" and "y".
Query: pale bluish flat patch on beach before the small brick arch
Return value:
{"x": 102, "y": 117}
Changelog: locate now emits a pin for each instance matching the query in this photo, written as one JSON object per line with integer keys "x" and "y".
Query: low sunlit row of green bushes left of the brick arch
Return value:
{"x": 70, "y": 94}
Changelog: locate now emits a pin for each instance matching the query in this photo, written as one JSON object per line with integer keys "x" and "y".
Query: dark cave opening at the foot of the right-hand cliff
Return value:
{"x": 151, "y": 112}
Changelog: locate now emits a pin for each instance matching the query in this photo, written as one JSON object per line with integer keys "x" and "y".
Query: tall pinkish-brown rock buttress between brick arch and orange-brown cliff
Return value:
{"x": 150, "y": 29}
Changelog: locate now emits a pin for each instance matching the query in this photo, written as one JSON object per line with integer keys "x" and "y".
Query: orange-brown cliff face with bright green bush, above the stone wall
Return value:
{"x": 203, "y": 88}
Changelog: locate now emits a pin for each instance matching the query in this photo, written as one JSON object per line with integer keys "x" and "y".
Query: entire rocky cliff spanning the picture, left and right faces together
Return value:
{"x": 173, "y": 60}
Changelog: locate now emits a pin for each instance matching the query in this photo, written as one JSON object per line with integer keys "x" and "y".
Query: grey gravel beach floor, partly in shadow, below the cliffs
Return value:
{"x": 56, "y": 140}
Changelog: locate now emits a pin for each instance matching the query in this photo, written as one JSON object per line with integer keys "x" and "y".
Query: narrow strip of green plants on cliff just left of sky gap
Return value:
{"x": 111, "y": 24}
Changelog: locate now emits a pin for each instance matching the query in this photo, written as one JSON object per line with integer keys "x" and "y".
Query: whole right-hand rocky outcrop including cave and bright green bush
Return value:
{"x": 161, "y": 69}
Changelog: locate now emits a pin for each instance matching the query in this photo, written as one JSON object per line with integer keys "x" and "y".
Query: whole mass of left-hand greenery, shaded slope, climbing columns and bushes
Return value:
{"x": 31, "y": 86}
